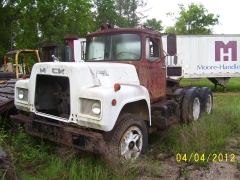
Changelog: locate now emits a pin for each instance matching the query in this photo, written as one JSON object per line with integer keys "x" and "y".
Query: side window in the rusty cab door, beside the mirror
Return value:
{"x": 152, "y": 49}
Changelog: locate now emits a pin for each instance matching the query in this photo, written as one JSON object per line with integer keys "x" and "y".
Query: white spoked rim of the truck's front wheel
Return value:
{"x": 131, "y": 143}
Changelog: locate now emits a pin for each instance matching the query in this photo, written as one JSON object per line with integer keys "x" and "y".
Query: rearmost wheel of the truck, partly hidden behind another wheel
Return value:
{"x": 206, "y": 100}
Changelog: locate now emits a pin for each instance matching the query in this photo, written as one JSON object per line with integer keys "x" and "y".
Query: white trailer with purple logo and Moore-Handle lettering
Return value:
{"x": 215, "y": 57}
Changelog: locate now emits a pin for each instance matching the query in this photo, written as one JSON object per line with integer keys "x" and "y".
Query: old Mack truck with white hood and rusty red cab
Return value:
{"x": 114, "y": 98}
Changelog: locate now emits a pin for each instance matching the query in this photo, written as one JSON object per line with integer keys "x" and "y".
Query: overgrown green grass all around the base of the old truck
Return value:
{"x": 32, "y": 158}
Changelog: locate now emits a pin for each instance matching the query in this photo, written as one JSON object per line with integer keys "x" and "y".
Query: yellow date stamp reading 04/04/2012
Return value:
{"x": 211, "y": 157}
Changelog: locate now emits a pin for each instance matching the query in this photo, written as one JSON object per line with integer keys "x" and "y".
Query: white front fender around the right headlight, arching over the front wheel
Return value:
{"x": 109, "y": 113}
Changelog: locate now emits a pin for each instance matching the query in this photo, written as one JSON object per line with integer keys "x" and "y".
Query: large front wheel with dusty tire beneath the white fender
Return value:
{"x": 129, "y": 138}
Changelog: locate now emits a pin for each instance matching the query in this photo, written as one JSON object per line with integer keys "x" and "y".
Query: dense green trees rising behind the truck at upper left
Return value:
{"x": 31, "y": 24}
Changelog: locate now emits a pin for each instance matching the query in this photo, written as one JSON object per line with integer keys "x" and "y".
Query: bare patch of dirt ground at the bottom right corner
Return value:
{"x": 173, "y": 170}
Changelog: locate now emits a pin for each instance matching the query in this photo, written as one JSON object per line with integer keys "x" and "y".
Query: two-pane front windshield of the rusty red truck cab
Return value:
{"x": 114, "y": 47}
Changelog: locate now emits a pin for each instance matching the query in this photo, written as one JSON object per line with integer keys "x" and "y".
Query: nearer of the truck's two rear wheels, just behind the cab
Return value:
{"x": 191, "y": 106}
